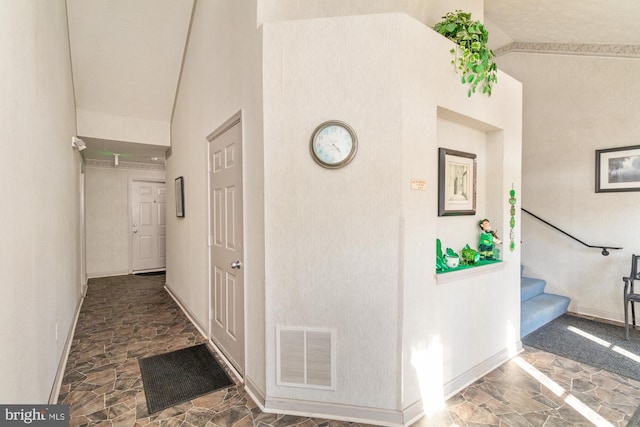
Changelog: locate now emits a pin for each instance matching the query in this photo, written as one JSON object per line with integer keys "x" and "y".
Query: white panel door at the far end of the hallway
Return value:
{"x": 148, "y": 228}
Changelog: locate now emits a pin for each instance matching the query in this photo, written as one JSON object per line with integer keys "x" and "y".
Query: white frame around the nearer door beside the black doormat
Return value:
{"x": 228, "y": 124}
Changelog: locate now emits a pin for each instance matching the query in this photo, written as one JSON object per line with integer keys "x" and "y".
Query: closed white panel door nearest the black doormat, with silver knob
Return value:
{"x": 226, "y": 275}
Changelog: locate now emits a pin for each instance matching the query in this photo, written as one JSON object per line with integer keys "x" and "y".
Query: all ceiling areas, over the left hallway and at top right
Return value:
{"x": 127, "y": 54}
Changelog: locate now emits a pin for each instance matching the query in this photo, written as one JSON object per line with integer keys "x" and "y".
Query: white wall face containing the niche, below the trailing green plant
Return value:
{"x": 437, "y": 315}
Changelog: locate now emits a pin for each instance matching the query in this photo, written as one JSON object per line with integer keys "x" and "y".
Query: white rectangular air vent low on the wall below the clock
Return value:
{"x": 306, "y": 357}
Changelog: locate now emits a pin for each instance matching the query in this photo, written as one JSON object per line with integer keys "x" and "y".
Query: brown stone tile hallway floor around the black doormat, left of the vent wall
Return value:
{"x": 125, "y": 318}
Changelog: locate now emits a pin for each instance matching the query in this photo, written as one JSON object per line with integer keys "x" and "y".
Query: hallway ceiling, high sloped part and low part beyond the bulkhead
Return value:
{"x": 126, "y": 57}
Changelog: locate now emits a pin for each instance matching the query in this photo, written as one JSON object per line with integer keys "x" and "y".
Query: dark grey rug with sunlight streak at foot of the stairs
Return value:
{"x": 598, "y": 344}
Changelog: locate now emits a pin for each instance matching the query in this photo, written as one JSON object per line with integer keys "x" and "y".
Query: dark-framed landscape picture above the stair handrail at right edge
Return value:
{"x": 618, "y": 169}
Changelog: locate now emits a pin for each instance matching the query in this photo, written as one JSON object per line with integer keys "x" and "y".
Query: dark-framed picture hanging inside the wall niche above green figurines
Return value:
{"x": 457, "y": 178}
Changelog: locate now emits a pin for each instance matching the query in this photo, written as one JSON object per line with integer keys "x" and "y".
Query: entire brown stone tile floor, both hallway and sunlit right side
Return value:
{"x": 129, "y": 317}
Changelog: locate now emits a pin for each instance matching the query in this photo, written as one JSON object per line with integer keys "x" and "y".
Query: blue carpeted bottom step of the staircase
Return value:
{"x": 540, "y": 310}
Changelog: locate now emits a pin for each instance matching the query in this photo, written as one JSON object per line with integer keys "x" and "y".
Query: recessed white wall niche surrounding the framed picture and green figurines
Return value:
{"x": 459, "y": 132}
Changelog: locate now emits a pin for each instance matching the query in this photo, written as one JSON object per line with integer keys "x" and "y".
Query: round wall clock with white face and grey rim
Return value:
{"x": 333, "y": 144}
